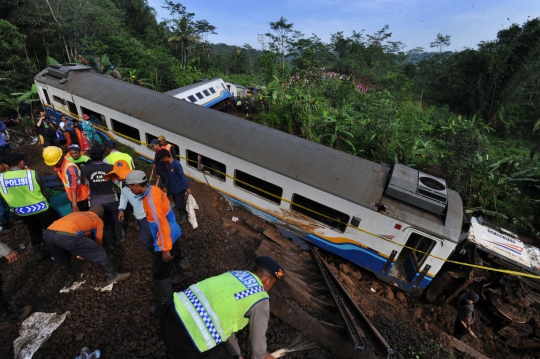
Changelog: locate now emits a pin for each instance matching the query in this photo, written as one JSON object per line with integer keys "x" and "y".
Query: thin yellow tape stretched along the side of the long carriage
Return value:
{"x": 506, "y": 271}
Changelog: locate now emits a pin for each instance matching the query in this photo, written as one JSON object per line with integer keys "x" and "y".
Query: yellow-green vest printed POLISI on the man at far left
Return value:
{"x": 22, "y": 192}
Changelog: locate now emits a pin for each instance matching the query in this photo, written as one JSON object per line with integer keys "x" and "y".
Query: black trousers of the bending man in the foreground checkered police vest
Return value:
{"x": 177, "y": 340}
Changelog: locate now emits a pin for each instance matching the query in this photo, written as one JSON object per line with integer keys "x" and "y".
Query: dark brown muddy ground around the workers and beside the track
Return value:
{"x": 121, "y": 326}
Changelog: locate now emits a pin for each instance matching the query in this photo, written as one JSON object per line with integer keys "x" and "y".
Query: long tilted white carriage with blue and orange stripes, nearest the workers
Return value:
{"x": 362, "y": 211}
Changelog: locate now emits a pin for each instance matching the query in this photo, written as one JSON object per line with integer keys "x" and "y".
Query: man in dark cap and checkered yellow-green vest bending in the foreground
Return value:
{"x": 202, "y": 321}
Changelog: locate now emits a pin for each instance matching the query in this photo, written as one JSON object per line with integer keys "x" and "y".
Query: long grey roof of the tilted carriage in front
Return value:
{"x": 338, "y": 173}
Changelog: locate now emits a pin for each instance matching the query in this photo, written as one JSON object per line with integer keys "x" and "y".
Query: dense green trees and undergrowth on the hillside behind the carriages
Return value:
{"x": 467, "y": 116}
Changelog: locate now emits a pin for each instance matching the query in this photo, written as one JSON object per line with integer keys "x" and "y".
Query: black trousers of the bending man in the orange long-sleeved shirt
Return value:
{"x": 62, "y": 246}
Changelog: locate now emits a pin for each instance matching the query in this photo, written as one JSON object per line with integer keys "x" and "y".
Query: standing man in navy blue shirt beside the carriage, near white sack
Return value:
{"x": 177, "y": 182}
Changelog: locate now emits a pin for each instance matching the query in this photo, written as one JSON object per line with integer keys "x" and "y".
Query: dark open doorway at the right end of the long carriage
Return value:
{"x": 412, "y": 256}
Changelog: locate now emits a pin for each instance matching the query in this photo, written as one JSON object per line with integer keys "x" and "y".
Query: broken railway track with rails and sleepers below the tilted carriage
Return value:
{"x": 314, "y": 302}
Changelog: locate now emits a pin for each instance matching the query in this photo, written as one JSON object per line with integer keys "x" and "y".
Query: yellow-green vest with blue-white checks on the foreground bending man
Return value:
{"x": 215, "y": 308}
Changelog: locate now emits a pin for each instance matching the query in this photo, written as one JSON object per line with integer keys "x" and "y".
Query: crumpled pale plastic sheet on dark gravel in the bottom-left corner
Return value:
{"x": 35, "y": 331}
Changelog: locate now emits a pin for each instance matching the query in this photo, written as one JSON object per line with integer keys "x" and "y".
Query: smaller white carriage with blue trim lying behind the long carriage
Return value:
{"x": 207, "y": 93}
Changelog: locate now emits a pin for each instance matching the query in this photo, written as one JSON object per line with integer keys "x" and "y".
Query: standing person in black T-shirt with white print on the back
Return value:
{"x": 102, "y": 192}
